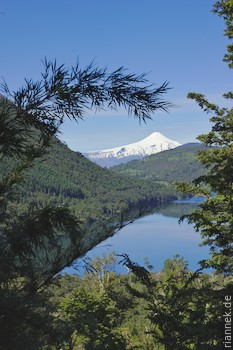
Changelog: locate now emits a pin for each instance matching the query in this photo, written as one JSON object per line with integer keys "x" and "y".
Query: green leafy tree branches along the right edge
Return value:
{"x": 214, "y": 218}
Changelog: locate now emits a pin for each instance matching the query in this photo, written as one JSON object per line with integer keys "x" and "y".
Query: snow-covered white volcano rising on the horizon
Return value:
{"x": 154, "y": 143}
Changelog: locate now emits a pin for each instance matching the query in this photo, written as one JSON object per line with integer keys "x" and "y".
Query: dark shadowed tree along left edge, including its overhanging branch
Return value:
{"x": 37, "y": 242}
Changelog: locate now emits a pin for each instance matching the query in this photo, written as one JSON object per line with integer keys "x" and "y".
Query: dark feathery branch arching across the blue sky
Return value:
{"x": 70, "y": 92}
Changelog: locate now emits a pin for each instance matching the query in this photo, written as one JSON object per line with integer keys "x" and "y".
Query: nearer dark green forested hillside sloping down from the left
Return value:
{"x": 66, "y": 177}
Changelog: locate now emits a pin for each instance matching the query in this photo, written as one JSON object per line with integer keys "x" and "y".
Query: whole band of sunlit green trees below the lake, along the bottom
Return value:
{"x": 171, "y": 309}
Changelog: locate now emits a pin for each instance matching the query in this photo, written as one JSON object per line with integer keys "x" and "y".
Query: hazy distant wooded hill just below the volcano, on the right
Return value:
{"x": 179, "y": 164}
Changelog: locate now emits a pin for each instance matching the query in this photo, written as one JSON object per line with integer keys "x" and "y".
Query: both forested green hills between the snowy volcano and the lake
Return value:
{"x": 65, "y": 177}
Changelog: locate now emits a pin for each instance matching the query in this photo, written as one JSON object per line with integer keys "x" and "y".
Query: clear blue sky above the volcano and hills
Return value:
{"x": 178, "y": 41}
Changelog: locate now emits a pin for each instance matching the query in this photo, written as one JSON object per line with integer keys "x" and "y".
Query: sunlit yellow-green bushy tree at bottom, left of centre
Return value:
{"x": 91, "y": 311}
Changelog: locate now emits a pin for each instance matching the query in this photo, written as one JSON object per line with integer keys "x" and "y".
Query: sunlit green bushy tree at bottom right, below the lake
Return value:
{"x": 184, "y": 308}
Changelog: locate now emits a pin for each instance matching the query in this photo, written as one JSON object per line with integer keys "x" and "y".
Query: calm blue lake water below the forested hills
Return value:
{"x": 158, "y": 236}
